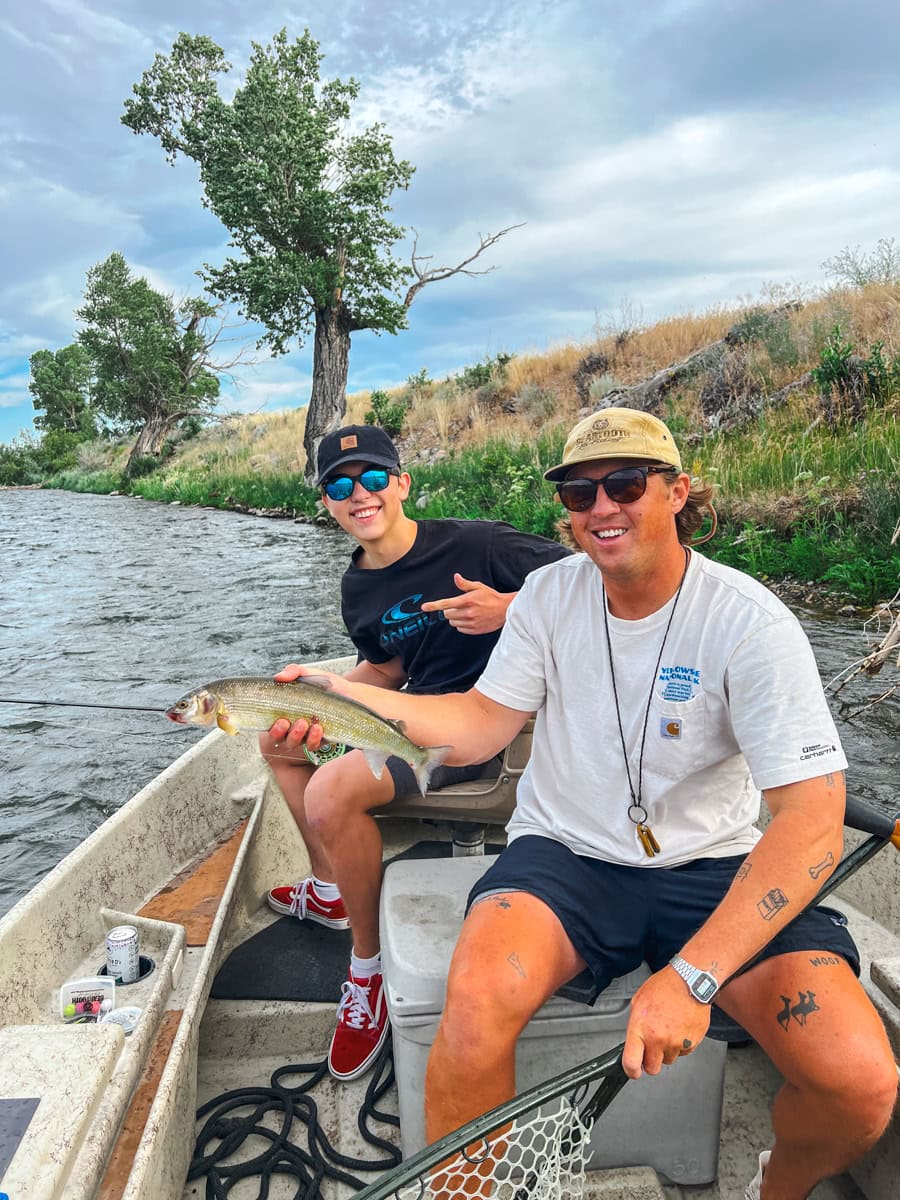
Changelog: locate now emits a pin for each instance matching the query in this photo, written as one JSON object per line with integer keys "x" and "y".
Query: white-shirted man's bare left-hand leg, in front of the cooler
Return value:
{"x": 512, "y": 957}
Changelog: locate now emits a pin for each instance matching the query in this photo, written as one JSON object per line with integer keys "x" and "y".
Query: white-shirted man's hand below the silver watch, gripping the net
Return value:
{"x": 667, "y": 1022}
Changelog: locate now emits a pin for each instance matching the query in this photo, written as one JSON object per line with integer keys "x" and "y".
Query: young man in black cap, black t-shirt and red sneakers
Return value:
{"x": 441, "y": 645}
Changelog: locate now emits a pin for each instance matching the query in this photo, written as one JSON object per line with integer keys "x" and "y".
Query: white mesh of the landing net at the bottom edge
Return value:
{"x": 541, "y": 1156}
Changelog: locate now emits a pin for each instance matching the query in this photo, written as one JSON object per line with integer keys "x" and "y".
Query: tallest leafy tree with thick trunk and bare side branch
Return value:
{"x": 304, "y": 197}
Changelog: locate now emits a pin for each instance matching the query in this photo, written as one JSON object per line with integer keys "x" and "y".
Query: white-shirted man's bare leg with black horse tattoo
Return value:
{"x": 811, "y": 1015}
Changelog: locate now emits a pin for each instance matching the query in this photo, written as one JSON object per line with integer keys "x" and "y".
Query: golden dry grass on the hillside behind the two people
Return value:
{"x": 447, "y": 416}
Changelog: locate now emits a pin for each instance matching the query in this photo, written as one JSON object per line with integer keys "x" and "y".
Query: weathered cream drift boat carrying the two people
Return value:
{"x": 88, "y": 1113}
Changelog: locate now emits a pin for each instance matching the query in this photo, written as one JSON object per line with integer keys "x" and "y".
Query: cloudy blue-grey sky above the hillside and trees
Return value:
{"x": 663, "y": 157}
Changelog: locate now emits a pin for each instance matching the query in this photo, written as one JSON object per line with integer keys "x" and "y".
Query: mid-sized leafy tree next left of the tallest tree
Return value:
{"x": 152, "y": 357}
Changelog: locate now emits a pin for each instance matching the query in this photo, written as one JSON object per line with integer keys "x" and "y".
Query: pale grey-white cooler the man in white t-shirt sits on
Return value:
{"x": 669, "y": 1121}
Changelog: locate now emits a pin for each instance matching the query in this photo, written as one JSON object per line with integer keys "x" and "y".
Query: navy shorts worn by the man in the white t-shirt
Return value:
{"x": 619, "y": 917}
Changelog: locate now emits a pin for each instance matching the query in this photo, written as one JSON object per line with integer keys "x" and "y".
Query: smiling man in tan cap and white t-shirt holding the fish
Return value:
{"x": 668, "y": 691}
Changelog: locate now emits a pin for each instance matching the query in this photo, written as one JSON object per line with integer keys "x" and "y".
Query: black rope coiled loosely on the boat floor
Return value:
{"x": 311, "y": 1159}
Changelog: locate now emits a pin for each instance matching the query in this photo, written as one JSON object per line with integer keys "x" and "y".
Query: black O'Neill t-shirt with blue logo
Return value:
{"x": 382, "y": 609}
